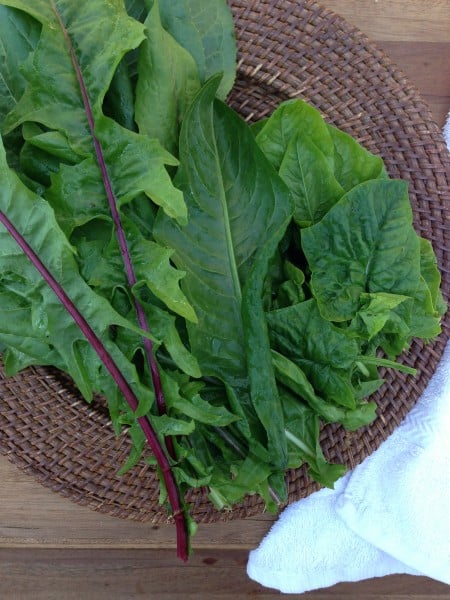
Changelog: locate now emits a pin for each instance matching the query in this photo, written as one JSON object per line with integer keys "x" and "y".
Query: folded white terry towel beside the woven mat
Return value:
{"x": 389, "y": 515}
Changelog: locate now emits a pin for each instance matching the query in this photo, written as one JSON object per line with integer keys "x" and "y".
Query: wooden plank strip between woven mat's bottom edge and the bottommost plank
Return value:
{"x": 34, "y": 515}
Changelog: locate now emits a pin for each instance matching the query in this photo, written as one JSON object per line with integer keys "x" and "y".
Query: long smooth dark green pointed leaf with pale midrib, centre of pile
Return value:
{"x": 238, "y": 210}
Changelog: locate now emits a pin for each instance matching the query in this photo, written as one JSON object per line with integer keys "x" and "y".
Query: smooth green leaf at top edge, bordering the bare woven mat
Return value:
{"x": 206, "y": 31}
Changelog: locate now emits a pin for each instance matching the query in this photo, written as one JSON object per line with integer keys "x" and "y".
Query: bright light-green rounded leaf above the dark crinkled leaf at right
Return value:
{"x": 317, "y": 161}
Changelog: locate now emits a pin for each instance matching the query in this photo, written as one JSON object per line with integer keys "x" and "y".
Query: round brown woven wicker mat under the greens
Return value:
{"x": 288, "y": 48}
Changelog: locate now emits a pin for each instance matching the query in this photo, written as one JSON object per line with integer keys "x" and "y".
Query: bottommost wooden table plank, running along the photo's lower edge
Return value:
{"x": 211, "y": 575}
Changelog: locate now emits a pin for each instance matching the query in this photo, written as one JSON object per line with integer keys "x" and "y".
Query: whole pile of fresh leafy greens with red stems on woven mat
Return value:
{"x": 228, "y": 288}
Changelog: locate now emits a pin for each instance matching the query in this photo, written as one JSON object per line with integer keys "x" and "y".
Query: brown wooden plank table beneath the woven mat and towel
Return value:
{"x": 51, "y": 548}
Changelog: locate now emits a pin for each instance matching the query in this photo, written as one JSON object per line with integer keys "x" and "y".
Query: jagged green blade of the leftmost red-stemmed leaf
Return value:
{"x": 43, "y": 325}
